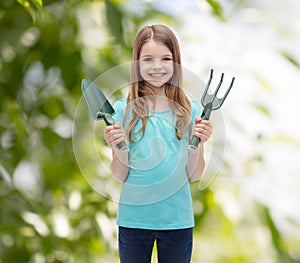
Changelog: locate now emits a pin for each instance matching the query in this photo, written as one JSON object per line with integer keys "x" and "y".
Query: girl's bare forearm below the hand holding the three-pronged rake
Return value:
{"x": 196, "y": 164}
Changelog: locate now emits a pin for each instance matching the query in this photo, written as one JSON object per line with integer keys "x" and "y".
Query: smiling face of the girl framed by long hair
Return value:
{"x": 156, "y": 64}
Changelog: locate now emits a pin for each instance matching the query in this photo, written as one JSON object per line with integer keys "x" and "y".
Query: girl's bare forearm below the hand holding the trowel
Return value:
{"x": 119, "y": 165}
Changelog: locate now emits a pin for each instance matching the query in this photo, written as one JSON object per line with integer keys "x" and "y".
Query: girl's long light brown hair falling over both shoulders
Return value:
{"x": 138, "y": 92}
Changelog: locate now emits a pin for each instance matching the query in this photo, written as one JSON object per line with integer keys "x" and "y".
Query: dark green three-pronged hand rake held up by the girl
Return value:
{"x": 209, "y": 103}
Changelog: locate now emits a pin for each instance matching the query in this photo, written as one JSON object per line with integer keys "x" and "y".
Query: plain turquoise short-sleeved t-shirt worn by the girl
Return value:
{"x": 156, "y": 194}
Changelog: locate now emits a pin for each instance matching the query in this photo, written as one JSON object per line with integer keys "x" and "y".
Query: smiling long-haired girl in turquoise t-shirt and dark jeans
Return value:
{"x": 157, "y": 120}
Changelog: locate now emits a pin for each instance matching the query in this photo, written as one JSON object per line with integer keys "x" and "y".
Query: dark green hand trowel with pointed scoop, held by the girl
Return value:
{"x": 99, "y": 107}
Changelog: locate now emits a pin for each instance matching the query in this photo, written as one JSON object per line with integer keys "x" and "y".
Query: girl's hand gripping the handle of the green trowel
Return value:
{"x": 114, "y": 134}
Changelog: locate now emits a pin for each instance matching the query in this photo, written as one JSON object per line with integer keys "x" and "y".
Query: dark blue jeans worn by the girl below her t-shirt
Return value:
{"x": 173, "y": 246}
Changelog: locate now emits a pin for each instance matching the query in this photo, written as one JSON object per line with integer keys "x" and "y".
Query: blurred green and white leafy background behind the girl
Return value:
{"x": 50, "y": 212}
